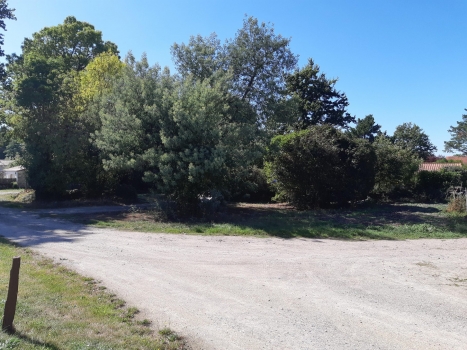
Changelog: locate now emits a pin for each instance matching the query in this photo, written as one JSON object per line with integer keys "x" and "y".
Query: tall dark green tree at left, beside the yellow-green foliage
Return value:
{"x": 42, "y": 88}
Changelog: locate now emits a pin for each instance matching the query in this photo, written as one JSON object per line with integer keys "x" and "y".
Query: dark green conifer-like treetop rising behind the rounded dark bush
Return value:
{"x": 318, "y": 100}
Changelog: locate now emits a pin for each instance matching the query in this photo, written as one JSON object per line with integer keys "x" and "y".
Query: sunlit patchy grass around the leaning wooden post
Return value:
{"x": 59, "y": 309}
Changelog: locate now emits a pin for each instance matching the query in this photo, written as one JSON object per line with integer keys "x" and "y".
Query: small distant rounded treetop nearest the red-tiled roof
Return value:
{"x": 411, "y": 136}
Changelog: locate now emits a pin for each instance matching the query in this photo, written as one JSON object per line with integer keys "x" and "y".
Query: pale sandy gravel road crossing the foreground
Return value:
{"x": 253, "y": 293}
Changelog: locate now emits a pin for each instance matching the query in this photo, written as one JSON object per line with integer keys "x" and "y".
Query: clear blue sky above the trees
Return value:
{"x": 402, "y": 61}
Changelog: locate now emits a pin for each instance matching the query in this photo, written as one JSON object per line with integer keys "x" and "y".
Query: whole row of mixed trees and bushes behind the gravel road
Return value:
{"x": 237, "y": 119}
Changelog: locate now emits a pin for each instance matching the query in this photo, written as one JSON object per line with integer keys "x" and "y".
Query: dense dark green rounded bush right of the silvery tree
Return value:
{"x": 321, "y": 165}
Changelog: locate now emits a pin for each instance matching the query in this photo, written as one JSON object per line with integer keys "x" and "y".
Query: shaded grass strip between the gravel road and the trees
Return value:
{"x": 398, "y": 221}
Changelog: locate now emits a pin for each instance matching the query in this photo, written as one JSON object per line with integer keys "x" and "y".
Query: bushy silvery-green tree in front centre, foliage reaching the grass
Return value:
{"x": 189, "y": 137}
